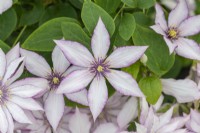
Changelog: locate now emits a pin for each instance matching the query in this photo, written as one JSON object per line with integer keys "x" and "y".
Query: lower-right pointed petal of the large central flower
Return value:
{"x": 124, "y": 83}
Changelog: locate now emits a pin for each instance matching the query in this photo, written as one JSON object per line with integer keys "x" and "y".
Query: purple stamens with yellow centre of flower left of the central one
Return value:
{"x": 54, "y": 80}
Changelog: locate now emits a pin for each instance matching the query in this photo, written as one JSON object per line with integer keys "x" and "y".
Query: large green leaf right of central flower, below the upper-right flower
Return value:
{"x": 159, "y": 59}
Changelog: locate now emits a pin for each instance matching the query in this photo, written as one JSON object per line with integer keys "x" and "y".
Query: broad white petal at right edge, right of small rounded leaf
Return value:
{"x": 183, "y": 90}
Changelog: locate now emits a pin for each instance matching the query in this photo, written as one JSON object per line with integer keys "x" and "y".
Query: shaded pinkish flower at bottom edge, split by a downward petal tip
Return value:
{"x": 41, "y": 124}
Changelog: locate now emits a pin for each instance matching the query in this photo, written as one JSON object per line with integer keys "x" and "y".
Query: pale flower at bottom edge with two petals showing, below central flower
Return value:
{"x": 126, "y": 115}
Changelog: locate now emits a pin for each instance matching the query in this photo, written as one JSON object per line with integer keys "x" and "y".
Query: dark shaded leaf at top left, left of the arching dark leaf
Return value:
{"x": 32, "y": 16}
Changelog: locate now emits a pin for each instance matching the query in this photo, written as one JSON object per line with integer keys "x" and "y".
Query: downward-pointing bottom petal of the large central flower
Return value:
{"x": 97, "y": 96}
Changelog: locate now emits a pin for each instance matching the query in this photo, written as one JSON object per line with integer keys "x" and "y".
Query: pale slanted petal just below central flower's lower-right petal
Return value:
{"x": 128, "y": 112}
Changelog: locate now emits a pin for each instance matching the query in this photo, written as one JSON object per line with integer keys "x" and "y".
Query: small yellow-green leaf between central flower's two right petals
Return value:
{"x": 133, "y": 69}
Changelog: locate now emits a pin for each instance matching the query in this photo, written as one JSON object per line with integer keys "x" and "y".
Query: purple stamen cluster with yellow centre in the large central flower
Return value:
{"x": 100, "y": 67}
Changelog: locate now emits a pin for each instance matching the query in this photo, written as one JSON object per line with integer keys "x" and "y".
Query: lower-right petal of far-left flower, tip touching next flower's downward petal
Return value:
{"x": 26, "y": 103}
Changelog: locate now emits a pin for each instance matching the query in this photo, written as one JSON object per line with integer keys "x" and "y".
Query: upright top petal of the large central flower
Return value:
{"x": 100, "y": 42}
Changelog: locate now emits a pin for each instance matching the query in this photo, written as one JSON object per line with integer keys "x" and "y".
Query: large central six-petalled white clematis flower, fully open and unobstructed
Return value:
{"x": 99, "y": 67}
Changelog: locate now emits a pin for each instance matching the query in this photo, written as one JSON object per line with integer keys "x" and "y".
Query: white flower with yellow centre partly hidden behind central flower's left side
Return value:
{"x": 38, "y": 66}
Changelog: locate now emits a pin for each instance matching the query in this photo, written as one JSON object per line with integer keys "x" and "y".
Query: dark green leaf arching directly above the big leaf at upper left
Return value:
{"x": 58, "y": 10}
